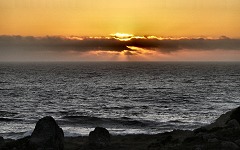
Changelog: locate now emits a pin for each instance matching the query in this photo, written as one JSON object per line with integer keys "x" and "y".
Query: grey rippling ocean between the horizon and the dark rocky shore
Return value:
{"x": 124, "y": 97}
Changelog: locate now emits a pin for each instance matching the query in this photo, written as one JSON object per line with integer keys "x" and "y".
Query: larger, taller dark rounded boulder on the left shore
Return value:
{"x": 47, "y": 135}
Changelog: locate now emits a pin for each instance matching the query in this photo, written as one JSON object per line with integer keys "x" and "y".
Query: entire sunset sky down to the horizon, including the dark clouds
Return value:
{"x": 92, "y": 30}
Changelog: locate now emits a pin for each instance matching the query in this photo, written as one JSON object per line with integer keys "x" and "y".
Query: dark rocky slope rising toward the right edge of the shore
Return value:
{"x": 223, "y": 134}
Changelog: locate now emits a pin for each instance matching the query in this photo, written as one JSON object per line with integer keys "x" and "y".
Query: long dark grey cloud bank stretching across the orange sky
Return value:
{"x": 58, "y": 44}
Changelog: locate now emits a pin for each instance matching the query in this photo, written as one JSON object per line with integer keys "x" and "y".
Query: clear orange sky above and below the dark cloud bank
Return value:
{"x": 161, "y": 18}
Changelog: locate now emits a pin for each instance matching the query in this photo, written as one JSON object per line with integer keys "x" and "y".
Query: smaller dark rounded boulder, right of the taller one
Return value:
{"x": 99, "y": 137}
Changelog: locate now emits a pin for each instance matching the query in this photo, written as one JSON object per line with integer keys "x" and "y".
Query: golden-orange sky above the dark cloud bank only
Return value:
{"x": 102, "y": 17}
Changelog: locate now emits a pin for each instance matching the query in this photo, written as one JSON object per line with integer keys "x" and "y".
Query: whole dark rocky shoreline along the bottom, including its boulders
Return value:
{"x": 223, "y": 134}
